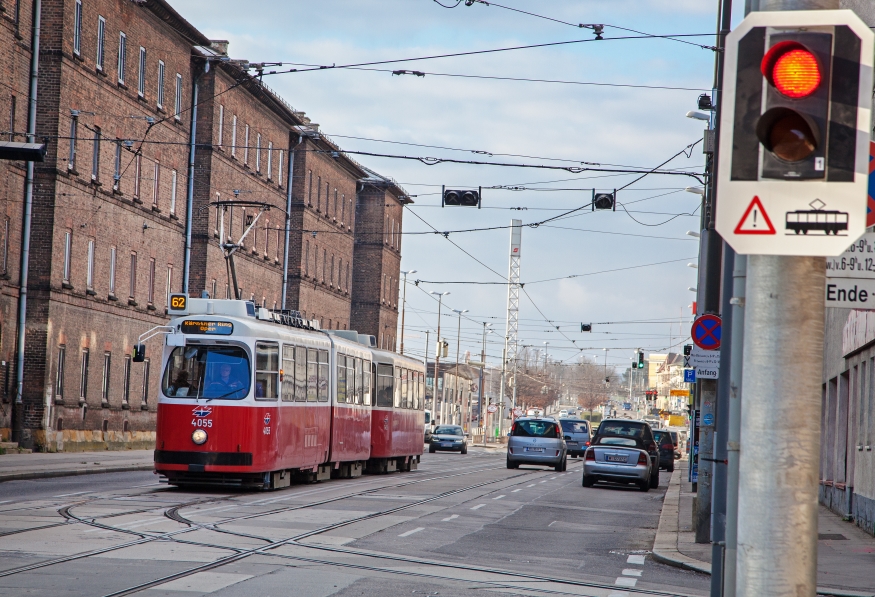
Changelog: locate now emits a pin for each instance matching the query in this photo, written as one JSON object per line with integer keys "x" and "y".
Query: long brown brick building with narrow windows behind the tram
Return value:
{"x": 133, "y": 99}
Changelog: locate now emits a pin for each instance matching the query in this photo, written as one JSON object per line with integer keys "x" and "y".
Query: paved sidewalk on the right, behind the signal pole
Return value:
{"x": 845, "y": 559}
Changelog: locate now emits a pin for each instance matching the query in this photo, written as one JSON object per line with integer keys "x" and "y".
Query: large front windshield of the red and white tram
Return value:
{"x": 211, "y": 372}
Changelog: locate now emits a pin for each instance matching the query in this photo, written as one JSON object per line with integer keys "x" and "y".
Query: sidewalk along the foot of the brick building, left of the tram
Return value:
{"x": 65, "y": 464}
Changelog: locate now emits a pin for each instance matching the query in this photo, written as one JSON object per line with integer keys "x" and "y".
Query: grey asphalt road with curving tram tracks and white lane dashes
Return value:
{"x": 458, "y": 526}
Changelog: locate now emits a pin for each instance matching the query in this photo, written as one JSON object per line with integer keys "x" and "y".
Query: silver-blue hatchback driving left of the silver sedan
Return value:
{"x": 536, "y": 440}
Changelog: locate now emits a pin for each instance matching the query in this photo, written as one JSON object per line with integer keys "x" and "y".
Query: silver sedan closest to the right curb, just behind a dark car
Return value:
{"x": 617, "y": 459}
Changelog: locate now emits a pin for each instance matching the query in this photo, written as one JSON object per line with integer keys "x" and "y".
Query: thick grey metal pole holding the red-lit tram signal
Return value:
{"x": 781, "y": 411}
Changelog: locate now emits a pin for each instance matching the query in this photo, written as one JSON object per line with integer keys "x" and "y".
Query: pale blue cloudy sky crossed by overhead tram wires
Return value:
{"x": 630, "y": 270}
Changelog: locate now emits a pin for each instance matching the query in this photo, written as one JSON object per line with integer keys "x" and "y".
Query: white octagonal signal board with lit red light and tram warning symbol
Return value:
{"x": 794, "y": 141}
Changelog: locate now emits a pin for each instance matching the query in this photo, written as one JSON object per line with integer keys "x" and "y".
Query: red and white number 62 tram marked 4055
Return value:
{"x": 252, "y": 398}
